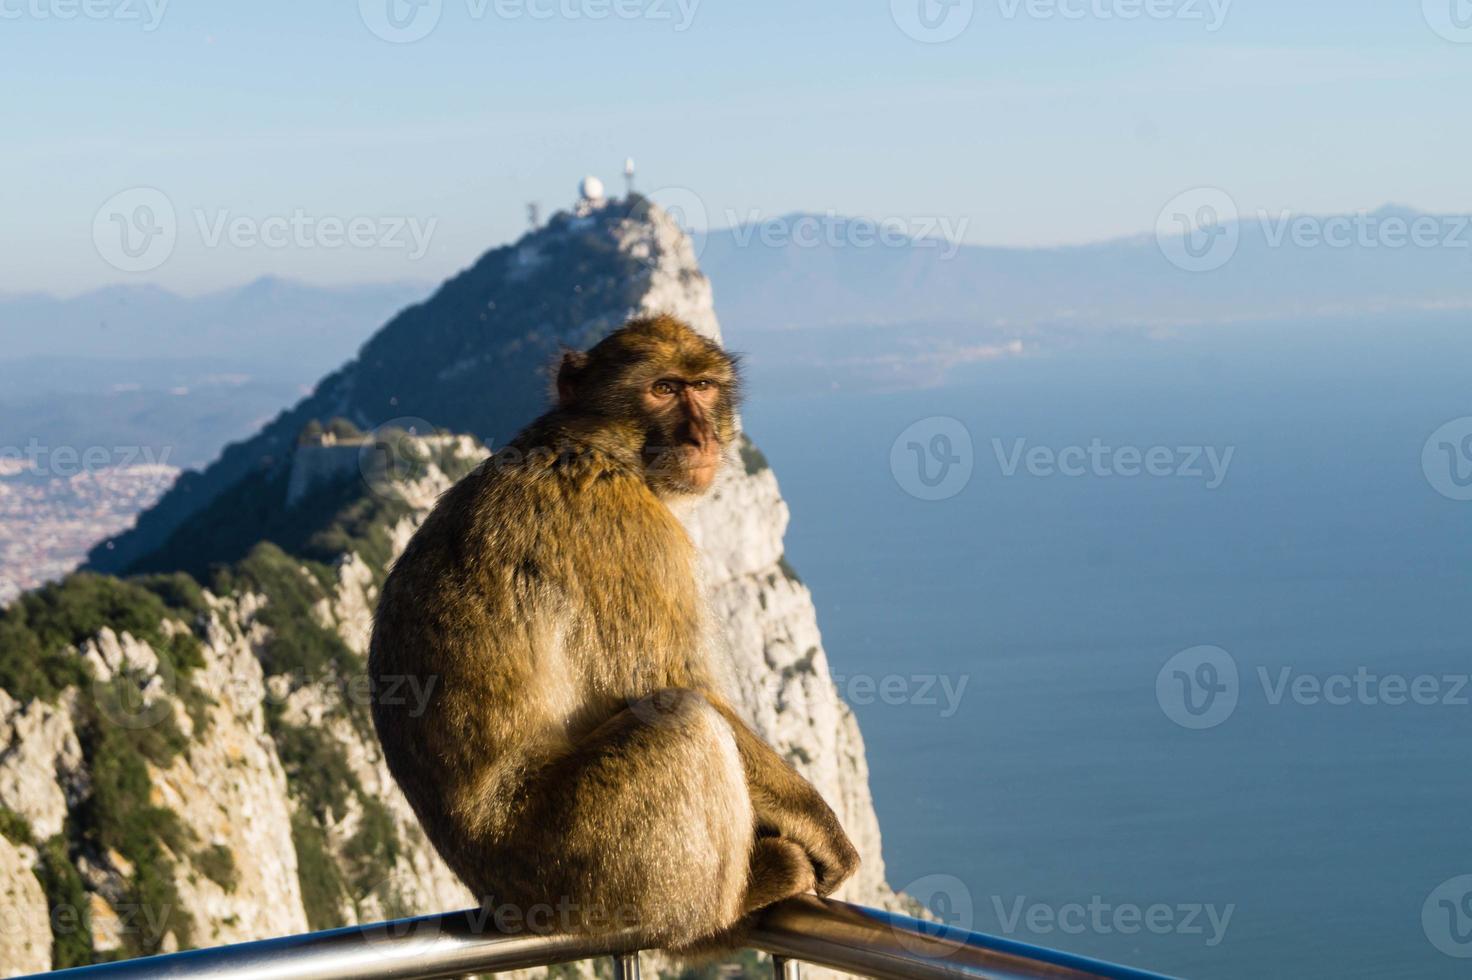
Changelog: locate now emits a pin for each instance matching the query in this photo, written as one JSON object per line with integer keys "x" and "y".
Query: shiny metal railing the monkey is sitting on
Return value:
{"x": 847, "y": 938}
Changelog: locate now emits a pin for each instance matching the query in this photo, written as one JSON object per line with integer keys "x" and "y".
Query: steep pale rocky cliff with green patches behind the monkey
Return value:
{"x": 195, "y": 766}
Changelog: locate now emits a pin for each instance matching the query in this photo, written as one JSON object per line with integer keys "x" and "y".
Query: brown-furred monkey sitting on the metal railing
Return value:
{"x": 576, "y": 751}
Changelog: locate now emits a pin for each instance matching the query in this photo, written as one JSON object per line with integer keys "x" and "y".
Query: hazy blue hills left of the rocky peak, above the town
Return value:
{"x": 179, "y": 376}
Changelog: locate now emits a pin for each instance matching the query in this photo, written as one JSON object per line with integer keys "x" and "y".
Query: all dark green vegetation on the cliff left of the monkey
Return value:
{"x": 127, "y": 735}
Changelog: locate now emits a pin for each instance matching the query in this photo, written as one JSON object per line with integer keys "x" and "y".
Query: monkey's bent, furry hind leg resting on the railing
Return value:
{"x": 647, "y": 823}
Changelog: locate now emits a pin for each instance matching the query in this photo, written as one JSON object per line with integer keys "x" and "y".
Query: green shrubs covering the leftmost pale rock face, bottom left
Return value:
{"x": 121, "y": 735}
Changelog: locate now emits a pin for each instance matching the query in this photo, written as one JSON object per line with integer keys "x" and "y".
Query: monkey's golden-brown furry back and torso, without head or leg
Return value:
{"x": 517, "y": 606}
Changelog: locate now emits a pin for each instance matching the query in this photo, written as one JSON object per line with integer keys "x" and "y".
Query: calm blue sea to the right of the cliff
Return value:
{"x": 1055, "y": 800}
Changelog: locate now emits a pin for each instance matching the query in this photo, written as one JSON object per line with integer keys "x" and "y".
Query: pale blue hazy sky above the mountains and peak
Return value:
{"x": 279, "y": 129}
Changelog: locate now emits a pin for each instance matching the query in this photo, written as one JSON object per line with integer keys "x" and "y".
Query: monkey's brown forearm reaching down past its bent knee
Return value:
{"x": 790, "y": 807}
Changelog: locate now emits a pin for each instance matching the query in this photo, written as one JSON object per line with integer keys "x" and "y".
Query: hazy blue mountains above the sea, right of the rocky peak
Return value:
{"x": 824, "y": 301}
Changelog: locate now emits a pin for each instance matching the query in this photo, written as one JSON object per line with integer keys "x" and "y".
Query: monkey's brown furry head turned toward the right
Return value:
{"x": 666, "y": 392}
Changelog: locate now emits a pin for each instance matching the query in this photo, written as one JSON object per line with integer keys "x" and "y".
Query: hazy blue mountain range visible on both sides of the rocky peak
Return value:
{"x": 139, "y": 366}
